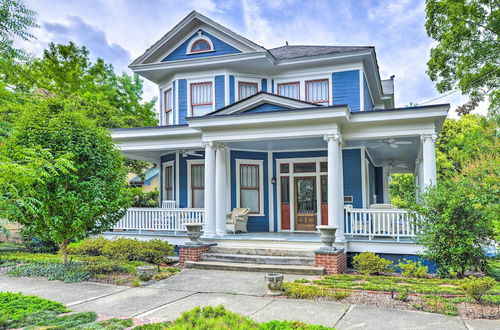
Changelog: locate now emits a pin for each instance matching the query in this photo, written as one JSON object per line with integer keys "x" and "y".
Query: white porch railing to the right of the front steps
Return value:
{"x": 393, "y": 223}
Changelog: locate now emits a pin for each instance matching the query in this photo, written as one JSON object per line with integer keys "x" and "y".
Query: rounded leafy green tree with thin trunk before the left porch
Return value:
{"x": 87, "y": 200}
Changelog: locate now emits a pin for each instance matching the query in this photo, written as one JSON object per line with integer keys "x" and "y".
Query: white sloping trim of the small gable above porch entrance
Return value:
{"x": 261, "y": 98}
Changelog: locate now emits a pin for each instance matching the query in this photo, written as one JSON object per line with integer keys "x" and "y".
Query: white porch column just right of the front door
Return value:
{"x": 335, "y": 192}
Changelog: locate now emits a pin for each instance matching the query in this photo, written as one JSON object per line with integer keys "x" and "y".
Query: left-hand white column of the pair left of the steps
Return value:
{"x": 209, "y": 189}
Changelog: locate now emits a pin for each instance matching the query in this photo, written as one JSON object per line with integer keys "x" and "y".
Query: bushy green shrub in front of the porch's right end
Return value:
{"x": 453, "y": 228}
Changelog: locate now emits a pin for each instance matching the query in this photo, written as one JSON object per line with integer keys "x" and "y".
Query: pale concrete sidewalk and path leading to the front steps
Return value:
{"x": 239, "y": 292}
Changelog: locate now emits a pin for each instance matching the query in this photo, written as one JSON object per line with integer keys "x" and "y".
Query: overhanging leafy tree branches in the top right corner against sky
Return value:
{"x": 466, "y": 56}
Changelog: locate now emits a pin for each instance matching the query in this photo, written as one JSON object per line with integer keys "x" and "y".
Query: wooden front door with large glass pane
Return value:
{"x": 305, "y": 203}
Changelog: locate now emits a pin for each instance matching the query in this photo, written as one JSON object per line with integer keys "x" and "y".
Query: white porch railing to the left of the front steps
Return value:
{"x": 160, "y": 219}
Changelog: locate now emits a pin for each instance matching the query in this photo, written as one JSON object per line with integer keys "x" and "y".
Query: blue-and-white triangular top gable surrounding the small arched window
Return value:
{"x": 178, "y": 42}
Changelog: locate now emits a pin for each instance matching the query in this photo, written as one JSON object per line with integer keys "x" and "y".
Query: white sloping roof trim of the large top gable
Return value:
{"x": 189, "y": 23}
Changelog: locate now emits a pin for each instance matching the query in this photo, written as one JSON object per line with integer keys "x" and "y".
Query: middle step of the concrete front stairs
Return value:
{"x": 258, "y": 259}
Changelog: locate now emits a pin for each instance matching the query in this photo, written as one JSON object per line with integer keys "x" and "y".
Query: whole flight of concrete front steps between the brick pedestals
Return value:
{"x": 248, "y": 259}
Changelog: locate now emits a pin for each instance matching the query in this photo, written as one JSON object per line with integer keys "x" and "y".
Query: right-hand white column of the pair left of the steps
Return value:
{"x": 220, "y": 189}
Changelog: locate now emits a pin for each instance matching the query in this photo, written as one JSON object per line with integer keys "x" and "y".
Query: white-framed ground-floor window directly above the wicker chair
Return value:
{"x": 250, "y": 183}
